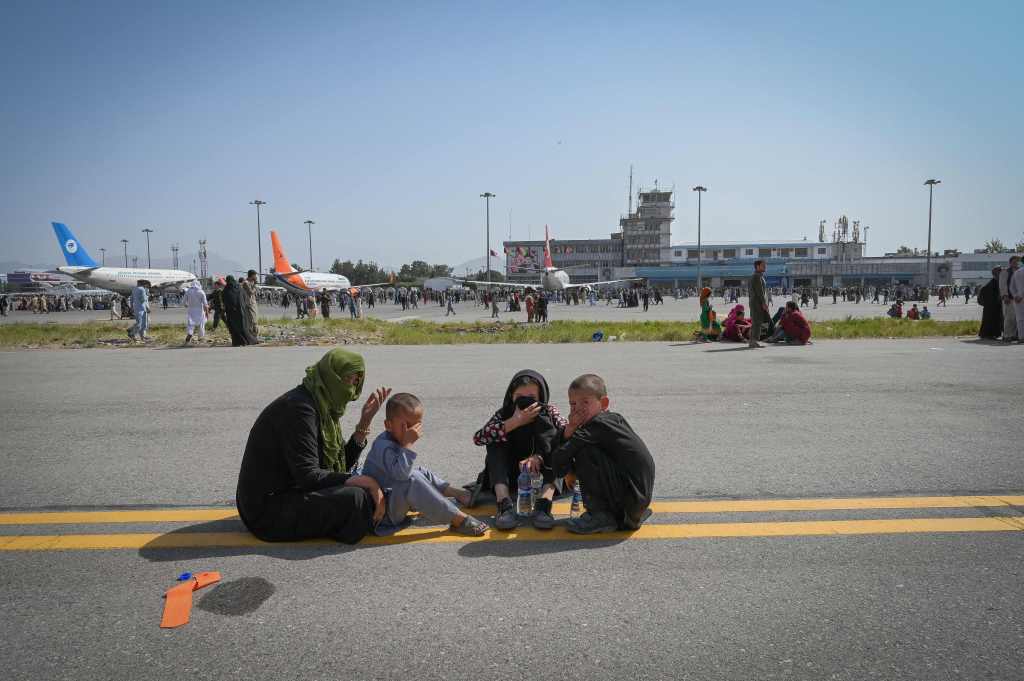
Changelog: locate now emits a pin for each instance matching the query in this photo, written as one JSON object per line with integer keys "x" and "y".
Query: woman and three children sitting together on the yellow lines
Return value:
{"x": 301, "y": 479}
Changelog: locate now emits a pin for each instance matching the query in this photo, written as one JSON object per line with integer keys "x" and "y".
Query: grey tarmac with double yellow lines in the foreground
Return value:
{"x": 844, "y": 510}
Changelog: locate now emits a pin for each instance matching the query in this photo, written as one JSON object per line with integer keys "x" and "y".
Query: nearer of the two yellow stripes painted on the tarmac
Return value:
{"x": 443, "y": 536}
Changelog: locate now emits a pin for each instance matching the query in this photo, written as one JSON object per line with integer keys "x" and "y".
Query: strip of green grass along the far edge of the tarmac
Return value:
{"x": 417, "y": 332}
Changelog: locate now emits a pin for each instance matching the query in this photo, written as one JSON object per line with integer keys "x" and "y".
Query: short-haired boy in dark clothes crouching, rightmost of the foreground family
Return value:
{"x": 614, "y": 466}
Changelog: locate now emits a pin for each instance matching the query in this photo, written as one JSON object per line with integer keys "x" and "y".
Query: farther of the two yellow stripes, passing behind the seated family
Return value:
{"x": 724, "y": 506}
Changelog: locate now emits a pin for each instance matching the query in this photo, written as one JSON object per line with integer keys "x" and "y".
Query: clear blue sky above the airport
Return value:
{"x": 383, "y": 122}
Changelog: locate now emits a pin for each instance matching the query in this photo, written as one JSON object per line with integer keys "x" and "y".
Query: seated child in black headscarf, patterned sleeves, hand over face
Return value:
{"x": 526, "y": 430}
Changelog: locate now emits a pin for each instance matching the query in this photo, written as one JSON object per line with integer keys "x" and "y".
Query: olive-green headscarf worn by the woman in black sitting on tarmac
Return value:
{"x": 325, "y": 381}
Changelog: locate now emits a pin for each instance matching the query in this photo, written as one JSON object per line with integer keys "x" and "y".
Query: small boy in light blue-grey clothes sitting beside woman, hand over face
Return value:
{"x": 407, "y": 487}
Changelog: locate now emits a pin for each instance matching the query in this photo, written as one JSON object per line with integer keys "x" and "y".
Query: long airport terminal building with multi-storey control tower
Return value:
{"x": 643, "y": 247}
